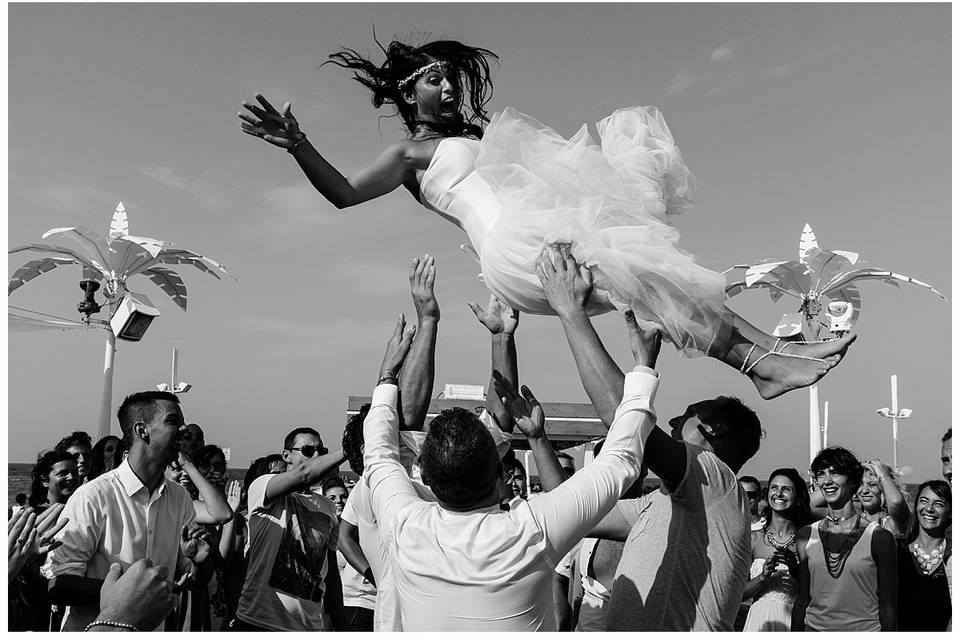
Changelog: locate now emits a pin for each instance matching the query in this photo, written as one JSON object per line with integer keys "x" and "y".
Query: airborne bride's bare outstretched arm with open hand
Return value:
{"x": 390, "y": 170}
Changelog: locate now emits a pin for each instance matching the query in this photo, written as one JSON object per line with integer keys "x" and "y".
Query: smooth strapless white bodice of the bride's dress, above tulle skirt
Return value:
{"x": 452, "y": 188}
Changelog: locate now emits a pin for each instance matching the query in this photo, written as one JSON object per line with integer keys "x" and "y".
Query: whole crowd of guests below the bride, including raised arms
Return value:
{"x": 442, "y": 532}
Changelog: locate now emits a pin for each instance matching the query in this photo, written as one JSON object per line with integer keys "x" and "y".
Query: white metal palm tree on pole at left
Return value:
{"x": 111, "y": 261}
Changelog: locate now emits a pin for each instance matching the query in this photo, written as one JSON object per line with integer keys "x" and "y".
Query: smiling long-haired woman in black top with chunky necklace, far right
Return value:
{"x": 924, "y": 602}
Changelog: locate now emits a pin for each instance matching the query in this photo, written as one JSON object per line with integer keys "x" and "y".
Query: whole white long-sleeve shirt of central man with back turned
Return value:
{"x": 487, "y": 569}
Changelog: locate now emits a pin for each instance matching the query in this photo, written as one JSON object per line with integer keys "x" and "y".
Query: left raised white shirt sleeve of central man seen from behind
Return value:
{"x": 390, "y": 486}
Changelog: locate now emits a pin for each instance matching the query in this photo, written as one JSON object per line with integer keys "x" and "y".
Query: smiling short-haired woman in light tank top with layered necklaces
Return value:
{"x": 848, "y": 566}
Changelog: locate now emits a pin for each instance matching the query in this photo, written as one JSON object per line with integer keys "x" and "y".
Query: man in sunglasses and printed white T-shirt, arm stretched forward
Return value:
{"x": 292, "y": 579}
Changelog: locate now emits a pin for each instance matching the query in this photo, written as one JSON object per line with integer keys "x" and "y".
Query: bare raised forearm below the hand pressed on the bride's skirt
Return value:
{"x": 601, "y": 377}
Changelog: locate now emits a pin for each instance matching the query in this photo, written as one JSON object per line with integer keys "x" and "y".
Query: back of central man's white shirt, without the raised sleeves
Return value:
{"x": 484, "y": 570}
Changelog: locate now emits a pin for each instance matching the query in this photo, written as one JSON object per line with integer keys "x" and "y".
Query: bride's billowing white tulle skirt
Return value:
{"x": 610, "y": 201}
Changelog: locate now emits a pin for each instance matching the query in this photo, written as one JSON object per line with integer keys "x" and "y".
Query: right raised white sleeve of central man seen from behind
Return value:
{"x": 568, "y": 512}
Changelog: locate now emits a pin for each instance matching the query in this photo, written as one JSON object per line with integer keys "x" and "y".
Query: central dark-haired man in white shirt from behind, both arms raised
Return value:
{"x": 462, "y": 563}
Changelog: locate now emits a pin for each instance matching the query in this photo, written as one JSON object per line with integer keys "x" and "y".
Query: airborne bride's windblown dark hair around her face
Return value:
{"x": 469, "y": 66}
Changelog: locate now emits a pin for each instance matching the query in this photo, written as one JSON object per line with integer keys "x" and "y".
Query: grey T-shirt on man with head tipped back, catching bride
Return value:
{"x": 687, "y": 557}
